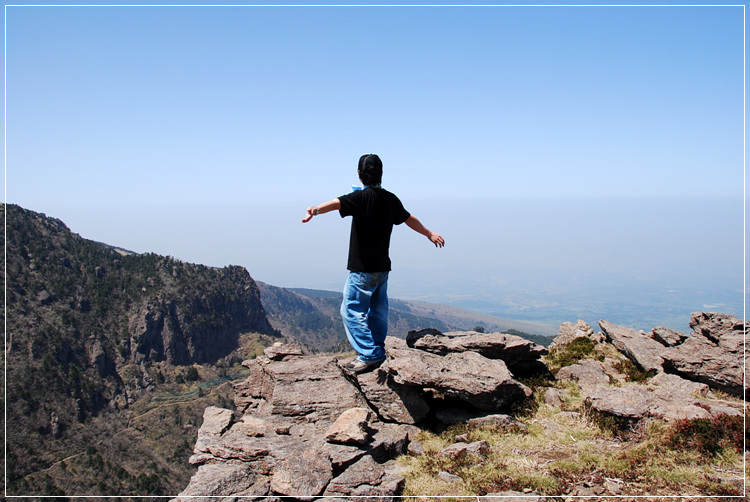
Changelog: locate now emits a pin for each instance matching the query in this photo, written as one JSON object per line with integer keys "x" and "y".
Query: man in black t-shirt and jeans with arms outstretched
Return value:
{"x": 374, "y": 211}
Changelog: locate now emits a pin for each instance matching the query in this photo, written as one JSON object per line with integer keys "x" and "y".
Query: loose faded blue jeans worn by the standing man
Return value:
{"x": 365, "y": 313}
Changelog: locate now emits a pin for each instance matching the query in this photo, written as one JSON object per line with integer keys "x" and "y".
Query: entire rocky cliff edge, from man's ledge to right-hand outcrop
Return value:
{"x": 305, "y": 428}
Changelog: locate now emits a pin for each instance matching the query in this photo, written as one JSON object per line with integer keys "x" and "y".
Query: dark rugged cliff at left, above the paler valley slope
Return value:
{"x": 91, "y": 329}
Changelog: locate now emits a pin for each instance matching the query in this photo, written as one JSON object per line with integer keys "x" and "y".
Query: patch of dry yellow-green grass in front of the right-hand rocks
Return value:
{"x": 569, "y": 454}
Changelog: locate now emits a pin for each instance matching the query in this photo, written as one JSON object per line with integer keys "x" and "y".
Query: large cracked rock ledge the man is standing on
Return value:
{"x": 306, "y": 428}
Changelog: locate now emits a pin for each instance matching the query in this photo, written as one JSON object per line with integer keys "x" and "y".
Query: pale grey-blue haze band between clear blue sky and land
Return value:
{"x": 629, "y": 261}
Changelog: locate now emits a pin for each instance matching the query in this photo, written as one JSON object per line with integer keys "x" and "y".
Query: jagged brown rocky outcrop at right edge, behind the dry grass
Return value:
{"x": 679, "y": 370}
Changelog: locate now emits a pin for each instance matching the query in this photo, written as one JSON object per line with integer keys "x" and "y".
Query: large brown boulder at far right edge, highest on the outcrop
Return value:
{"x": 713, "y": 354}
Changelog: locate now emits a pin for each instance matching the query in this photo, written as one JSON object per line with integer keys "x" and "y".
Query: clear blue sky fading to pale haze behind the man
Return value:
{"x": 204, "y": 132}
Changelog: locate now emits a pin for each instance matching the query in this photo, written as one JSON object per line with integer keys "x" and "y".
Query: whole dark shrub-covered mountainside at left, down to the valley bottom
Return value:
{"x": 93, "y": 335}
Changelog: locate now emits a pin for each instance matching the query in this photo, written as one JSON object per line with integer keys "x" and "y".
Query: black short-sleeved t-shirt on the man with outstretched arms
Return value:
{"x": 374, "y": 211}
